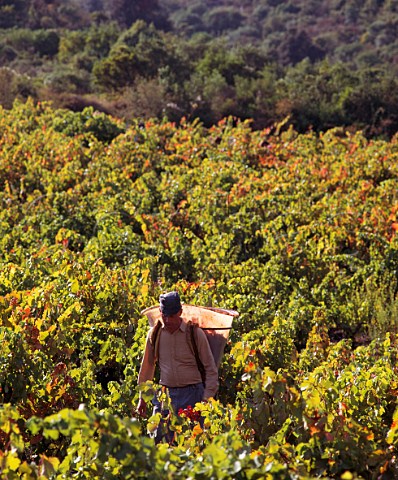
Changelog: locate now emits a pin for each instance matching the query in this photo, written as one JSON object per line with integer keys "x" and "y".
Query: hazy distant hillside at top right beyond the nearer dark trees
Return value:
{"x": 342, "y": 30}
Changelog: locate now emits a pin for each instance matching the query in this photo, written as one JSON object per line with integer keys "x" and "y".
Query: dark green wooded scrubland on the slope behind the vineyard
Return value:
{"x": 320, "y": 63}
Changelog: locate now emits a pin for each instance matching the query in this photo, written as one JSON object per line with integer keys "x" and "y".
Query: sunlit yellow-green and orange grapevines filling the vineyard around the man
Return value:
{"x": 298, "y": 232}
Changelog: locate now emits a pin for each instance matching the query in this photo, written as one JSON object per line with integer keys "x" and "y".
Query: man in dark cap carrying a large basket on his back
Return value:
{"x": 172, "y": 349}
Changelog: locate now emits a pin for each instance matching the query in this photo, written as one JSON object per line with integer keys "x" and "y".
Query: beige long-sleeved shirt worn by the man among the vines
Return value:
{"x": 177, "y": 361}
